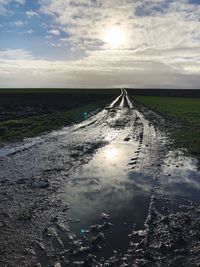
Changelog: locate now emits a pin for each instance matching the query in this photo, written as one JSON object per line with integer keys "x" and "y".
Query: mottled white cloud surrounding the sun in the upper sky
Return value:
{"x": 146, "y": 23}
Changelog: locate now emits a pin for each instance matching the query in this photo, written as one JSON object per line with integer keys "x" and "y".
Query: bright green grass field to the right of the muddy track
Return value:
{"x": 185, "y": 110}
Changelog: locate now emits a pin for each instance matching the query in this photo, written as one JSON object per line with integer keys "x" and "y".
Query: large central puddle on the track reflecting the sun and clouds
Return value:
{"x": 105, "y": 184}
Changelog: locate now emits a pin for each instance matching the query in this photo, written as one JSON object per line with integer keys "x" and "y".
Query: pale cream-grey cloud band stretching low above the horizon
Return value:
{"x": 100, "y": 69}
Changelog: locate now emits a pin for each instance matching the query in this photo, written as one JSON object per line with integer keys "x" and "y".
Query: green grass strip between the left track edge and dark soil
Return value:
{"x": 17, "y": 129}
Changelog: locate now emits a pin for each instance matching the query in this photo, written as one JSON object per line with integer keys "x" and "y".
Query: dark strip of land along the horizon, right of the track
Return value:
{"x": 166, "y": 92}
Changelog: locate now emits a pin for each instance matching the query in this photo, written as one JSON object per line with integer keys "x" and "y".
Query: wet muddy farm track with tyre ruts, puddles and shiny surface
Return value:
{"x": 104, "y": 192}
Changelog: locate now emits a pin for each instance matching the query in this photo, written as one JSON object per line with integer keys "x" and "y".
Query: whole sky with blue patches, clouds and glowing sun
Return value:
{"x": 100, "y": 43}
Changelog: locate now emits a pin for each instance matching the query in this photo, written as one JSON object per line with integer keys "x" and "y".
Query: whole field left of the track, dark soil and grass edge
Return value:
{"x": 30, "y": 112}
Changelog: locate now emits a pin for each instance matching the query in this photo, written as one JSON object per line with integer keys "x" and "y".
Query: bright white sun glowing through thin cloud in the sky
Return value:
{"x": 115, "y": 37}
